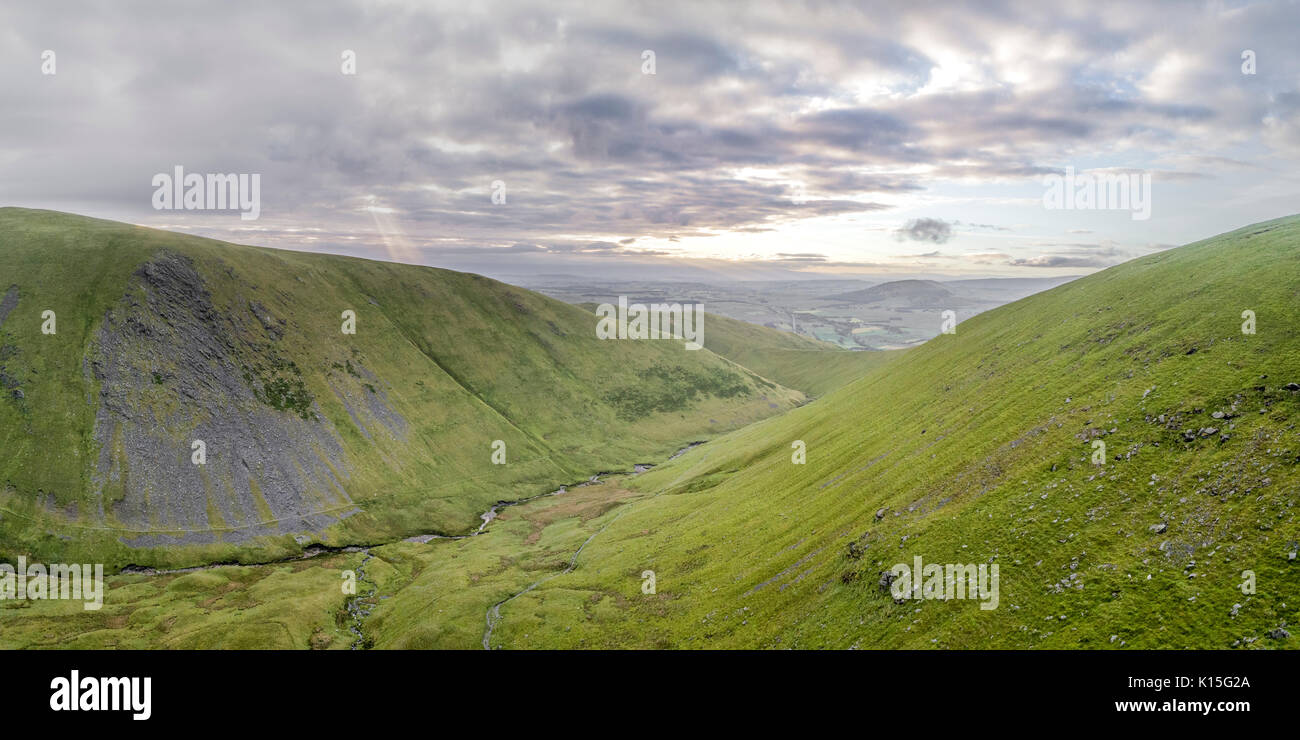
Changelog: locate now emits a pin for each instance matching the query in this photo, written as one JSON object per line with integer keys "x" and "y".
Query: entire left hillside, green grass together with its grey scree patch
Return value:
{"x": 311, "y": 435}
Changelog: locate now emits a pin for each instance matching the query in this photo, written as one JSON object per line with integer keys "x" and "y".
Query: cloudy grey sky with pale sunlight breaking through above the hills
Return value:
{"x": 757, "y": 141}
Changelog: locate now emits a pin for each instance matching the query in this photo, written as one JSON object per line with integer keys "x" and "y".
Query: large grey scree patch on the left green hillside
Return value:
{"x": 172, "y": 370}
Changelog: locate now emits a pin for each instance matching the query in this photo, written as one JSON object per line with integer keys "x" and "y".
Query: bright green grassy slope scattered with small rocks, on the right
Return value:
{"x": 978, "y": 447}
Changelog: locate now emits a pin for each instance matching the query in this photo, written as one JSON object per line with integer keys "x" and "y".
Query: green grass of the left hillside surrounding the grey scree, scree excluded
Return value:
{"x": 462, "y": 358}
